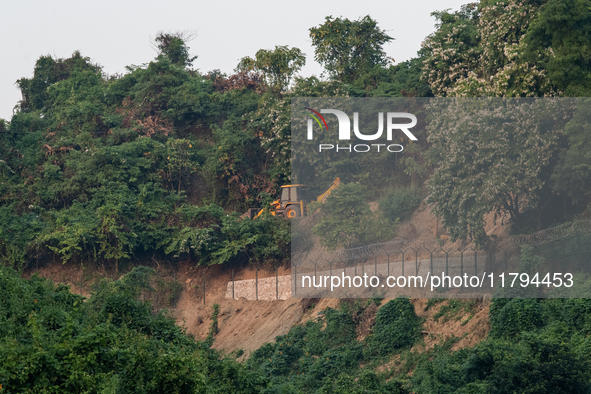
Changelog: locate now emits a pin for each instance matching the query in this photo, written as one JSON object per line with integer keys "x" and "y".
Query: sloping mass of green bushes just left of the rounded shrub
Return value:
{"x": 317, "y": 357}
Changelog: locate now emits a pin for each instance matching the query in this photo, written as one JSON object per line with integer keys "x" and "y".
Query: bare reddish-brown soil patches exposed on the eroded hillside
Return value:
{"x": 248, "y": 325}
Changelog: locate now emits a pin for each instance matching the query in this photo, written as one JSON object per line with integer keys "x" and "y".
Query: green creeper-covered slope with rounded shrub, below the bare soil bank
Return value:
{"x": 324, "y": 355}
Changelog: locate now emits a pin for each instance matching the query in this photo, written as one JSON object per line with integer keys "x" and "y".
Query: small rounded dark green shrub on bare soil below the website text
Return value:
{"x": 397, "y": 326}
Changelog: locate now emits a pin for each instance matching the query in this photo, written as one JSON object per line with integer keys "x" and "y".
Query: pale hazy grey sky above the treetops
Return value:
{"x": 117, "y": 33}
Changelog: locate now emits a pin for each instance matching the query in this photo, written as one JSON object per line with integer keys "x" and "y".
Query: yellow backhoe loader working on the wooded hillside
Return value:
{"x": 293, "y": 202}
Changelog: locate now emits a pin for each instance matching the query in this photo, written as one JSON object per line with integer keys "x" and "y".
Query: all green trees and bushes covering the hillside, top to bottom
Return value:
{"x": 160, "y": 162}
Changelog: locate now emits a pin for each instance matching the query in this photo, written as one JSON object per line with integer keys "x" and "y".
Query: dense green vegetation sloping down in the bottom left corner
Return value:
{"x": 53, "y": 341}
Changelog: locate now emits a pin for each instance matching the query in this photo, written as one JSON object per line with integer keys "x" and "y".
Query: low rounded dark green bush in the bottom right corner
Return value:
{"x": 536, "y": 364}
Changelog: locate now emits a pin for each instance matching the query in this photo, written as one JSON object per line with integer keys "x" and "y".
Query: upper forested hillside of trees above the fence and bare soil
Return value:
{"x": 99, "y": 168}
